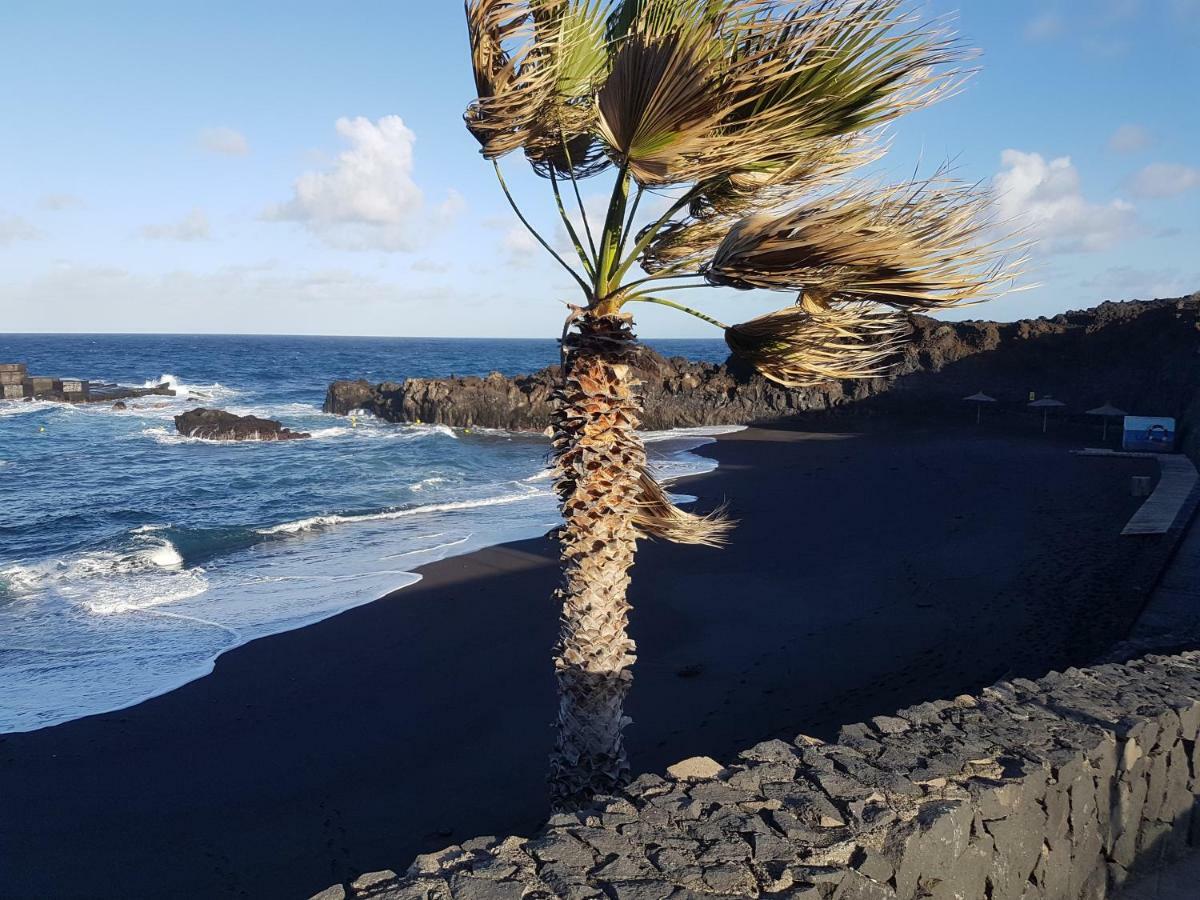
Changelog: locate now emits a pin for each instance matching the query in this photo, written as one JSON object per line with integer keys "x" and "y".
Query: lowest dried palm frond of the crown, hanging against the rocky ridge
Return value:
{"x": 808, "y": 345}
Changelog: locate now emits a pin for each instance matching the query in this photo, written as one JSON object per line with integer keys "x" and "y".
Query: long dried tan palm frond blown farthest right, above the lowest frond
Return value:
{"x": 925, "y": 245}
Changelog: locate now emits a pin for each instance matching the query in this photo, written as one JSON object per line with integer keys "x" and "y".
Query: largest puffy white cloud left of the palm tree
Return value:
{"x": 368, "y": 200}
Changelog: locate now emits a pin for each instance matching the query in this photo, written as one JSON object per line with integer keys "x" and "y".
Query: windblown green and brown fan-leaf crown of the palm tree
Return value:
{"x": 751, "y": 117}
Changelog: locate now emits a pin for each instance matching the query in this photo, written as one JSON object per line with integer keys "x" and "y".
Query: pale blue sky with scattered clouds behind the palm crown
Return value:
{"x": 303, "y": 169}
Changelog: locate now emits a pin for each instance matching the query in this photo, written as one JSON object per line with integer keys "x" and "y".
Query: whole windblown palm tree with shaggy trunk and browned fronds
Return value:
{"x": 742, "y": 122}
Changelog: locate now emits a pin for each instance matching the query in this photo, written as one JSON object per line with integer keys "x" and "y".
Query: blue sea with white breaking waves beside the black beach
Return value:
{"x": 133, "y": 557}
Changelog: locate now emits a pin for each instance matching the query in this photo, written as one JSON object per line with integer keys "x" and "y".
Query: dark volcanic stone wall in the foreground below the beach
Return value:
{"x": 1051, "y": 790}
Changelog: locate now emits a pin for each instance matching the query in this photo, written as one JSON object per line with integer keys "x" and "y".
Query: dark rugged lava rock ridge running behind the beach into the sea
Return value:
{"x": 1141, "y": 356}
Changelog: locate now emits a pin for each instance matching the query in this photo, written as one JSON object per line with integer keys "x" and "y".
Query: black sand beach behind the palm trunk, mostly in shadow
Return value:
{"x": 868, "y": 573}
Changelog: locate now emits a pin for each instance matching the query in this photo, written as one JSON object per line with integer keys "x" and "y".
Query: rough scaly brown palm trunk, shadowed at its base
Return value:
{"x": 598, "y": 461}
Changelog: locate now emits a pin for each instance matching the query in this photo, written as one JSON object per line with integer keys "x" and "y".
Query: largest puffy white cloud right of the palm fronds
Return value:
{"x": 1048, "y": 200}
